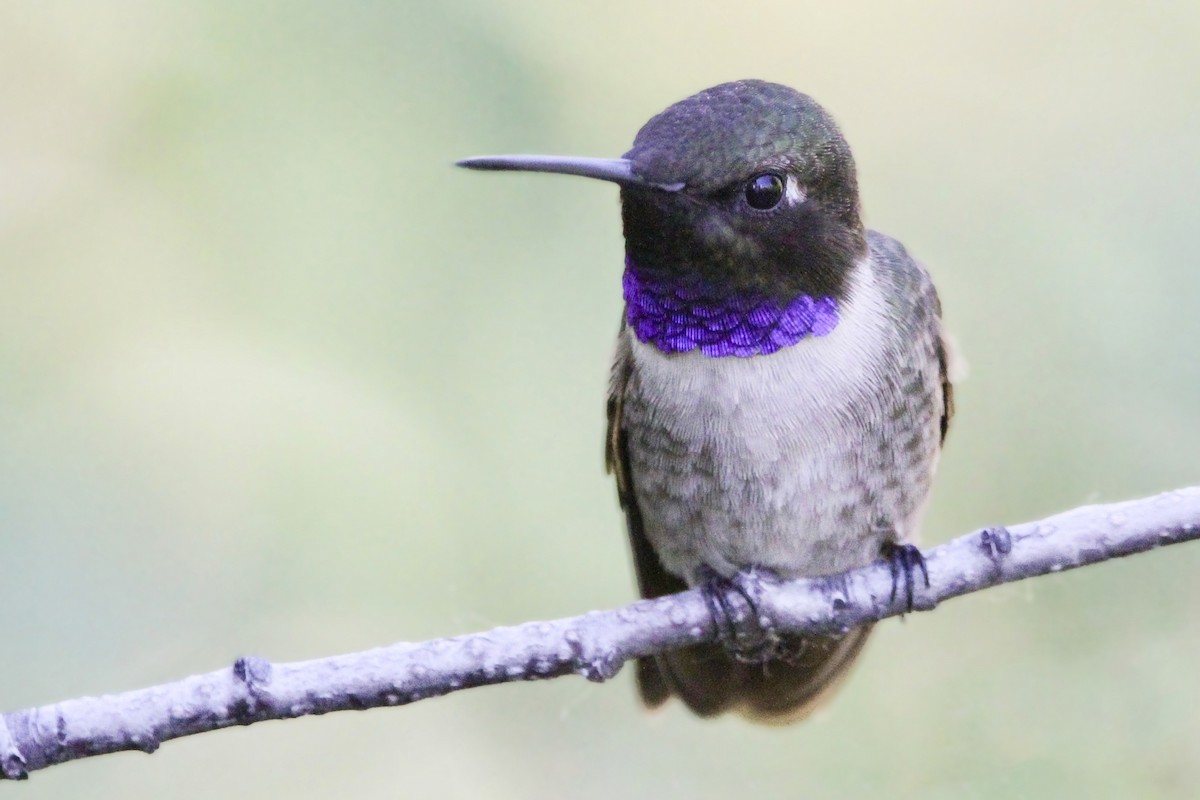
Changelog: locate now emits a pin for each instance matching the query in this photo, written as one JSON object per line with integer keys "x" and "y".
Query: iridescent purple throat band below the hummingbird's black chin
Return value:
{"x": 680, "y": 314}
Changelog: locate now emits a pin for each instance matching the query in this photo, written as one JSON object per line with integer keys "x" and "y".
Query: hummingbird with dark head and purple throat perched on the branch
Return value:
{"x": 779, "y": 395}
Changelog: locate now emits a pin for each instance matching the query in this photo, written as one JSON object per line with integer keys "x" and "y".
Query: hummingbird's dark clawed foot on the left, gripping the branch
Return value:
{"x": 734, "y": 605}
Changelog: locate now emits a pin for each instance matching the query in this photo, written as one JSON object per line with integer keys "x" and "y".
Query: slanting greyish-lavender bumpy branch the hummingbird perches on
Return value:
{"x": 595, "y": 646}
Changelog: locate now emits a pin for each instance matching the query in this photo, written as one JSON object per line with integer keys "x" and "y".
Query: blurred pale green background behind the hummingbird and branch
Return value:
{"x": 277, "y": 380}
